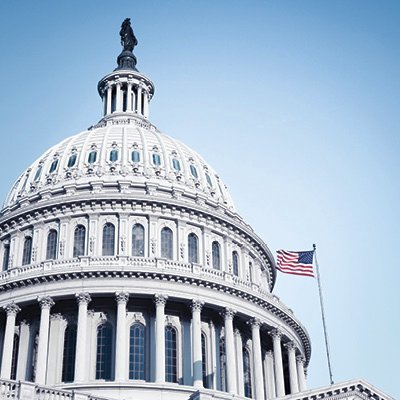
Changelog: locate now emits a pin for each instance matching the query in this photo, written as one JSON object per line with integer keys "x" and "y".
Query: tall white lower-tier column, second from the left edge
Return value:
{"x": 46, "y": 303}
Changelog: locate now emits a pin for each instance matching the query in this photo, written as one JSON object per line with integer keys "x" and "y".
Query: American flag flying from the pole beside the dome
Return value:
{"x": 296, "y": 262}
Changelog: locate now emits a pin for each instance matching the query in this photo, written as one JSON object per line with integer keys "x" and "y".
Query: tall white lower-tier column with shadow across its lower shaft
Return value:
{"x": 196, "y": 307}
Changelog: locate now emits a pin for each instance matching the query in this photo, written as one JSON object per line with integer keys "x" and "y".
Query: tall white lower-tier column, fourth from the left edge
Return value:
{"x": 121, "y": 348}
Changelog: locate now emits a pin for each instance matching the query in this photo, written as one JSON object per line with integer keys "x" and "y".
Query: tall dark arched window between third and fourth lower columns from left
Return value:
{"x": 104, "y": 351}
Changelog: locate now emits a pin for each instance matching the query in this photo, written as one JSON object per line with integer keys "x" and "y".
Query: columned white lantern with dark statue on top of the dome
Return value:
{"x": 125, "y": 90}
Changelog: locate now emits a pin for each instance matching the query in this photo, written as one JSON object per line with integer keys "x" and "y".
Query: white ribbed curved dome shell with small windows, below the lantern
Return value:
{"x": 129, "y": 151}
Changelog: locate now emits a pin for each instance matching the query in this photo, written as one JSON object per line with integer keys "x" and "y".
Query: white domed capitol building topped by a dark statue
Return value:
{"x": 128, "y": 274}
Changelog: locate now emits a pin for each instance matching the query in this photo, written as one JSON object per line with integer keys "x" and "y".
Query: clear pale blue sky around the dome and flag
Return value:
{"x": 294, "y": 103}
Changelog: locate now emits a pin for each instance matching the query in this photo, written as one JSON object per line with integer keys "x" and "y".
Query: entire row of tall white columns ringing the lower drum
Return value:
{"x": 267, "y": 367}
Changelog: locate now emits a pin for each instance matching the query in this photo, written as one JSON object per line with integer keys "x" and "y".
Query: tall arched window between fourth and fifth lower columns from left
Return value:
{"x": 137, "y": 351}
